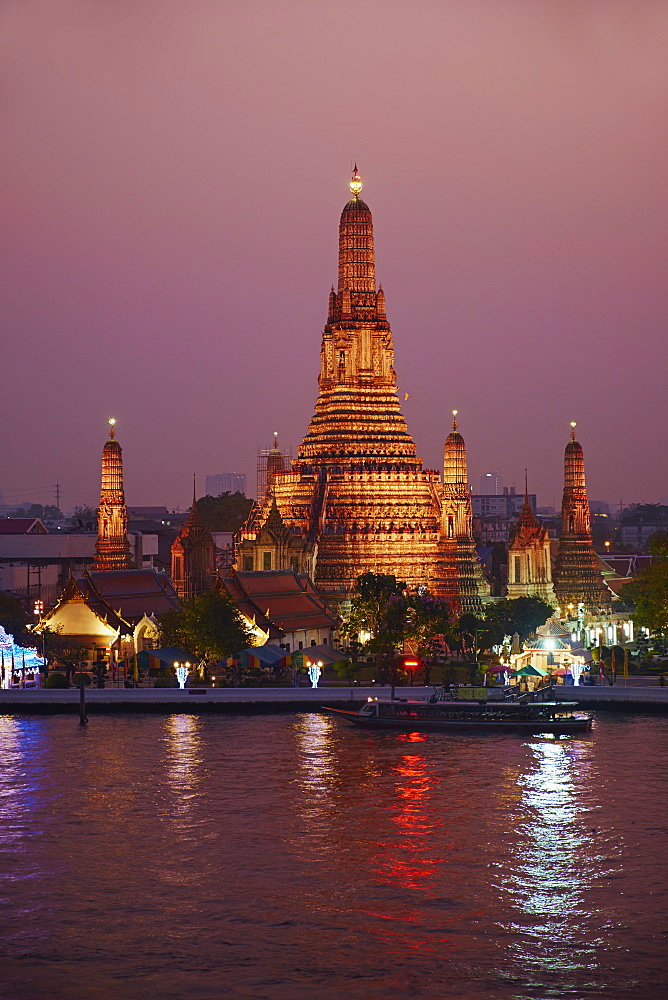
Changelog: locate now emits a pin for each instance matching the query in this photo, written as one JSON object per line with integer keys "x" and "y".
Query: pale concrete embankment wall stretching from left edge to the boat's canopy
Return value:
{"x": 169, "y": 700}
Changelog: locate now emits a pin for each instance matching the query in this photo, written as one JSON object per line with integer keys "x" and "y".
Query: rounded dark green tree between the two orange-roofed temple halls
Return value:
{"x": 209, "y": 627}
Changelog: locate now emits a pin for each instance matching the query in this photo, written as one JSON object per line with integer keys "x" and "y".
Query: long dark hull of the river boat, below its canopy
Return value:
{"x": 555, "y": 727}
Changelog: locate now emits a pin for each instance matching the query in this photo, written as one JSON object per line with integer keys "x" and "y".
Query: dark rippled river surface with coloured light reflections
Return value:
{"x": 289, "y": 856}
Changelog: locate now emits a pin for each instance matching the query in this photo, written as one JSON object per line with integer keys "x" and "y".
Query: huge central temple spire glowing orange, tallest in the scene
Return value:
{"x": 356, "y": 498}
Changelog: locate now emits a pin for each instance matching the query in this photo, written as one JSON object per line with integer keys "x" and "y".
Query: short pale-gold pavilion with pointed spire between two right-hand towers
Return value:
{"x": 529, "y": 562}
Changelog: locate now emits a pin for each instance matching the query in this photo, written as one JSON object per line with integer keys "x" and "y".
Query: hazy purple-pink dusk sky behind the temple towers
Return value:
{"x": 173, "y": 175}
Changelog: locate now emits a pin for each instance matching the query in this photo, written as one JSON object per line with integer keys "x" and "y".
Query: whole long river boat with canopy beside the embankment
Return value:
{"x": 555, "y": 718}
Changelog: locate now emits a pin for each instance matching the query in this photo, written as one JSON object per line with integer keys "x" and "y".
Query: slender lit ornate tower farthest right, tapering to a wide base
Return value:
{"x": 577, "y": 577}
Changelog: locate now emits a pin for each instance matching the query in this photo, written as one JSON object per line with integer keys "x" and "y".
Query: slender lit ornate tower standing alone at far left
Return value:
{"x": 112, "y": 550}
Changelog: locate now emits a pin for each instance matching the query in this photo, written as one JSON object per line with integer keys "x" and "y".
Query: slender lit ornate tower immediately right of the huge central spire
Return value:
{"x": 460, "y": 579}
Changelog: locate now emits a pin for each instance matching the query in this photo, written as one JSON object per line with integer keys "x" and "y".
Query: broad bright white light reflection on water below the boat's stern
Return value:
{"x": 550, "y": 873}
